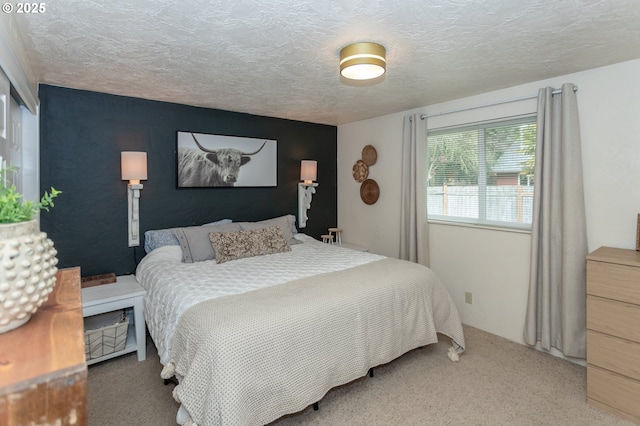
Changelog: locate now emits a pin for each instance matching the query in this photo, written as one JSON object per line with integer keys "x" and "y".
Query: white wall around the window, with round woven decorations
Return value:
{"x": 494, "y": 265}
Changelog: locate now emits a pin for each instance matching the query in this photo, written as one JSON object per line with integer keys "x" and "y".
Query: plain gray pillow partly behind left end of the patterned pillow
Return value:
{"x": 195, "y": 243}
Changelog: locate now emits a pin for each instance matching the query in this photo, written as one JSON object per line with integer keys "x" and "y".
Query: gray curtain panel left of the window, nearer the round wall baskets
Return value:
{"x": 414, "y": 245}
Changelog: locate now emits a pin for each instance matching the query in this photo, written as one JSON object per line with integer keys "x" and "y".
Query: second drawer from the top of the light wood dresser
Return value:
{"x": 614, "y": 318}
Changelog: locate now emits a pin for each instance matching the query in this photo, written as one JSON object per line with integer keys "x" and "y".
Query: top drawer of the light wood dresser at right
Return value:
{"x": 619, "y": 282}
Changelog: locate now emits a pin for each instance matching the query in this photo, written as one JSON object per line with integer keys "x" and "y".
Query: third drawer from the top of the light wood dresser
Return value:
{"x": 611, "y": 353}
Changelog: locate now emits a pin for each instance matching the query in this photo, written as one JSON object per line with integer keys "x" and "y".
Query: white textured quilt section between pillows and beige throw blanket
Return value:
{"x": 171, "y": 283}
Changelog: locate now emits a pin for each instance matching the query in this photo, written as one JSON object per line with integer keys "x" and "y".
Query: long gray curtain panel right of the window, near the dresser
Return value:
{"x": 557, "y": 290}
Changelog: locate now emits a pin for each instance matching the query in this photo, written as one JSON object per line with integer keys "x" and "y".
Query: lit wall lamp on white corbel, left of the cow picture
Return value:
{"x": 134, "y": 169}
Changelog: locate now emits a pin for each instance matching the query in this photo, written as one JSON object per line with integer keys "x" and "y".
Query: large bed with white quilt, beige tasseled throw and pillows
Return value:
{"x": 254, "y": 337}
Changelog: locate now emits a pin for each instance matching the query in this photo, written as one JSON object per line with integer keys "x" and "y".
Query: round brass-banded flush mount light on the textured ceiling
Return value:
{"x": 363, "y": 61}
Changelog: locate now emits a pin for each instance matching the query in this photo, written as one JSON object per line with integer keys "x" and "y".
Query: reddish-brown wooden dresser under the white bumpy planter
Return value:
{"x": 43, "y": 373}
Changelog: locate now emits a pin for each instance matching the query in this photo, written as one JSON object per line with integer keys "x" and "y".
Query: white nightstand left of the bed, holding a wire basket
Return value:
{"x": 123, "y": 294}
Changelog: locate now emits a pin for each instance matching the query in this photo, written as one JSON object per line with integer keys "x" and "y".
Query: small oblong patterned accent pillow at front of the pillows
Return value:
{"x": 240, "y": 244}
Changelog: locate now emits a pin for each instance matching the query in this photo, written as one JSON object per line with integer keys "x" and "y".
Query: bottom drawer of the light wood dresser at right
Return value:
{"x": 620, "y": 393}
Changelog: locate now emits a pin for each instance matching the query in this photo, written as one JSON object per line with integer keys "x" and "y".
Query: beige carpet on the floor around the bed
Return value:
{"x": 496, "y": 382}
